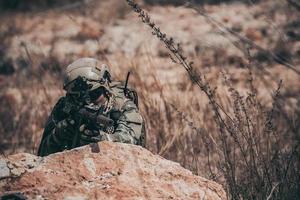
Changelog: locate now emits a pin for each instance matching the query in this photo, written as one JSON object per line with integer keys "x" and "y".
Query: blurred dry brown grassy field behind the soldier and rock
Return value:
{"x": 243, "y": 48}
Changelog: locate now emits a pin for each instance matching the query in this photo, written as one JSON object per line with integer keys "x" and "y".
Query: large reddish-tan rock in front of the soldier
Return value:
{"x": 103, "y": 171}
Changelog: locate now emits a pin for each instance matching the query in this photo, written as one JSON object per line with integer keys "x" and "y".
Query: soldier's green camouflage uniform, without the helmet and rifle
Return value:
{"x": 128, "y": 123}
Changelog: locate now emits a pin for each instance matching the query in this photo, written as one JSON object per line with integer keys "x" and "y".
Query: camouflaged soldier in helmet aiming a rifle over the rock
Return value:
{"x": 94, "y": 109}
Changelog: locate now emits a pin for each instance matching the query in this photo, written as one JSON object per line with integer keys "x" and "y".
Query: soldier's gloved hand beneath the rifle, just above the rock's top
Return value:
{"x": 88, "y": 136}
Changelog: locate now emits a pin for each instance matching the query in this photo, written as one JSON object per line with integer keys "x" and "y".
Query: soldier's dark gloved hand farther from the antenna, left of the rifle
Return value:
{"x": 64, "y": 129}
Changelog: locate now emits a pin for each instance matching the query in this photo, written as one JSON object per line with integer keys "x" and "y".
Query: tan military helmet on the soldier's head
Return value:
{"x": 86, "y": 74}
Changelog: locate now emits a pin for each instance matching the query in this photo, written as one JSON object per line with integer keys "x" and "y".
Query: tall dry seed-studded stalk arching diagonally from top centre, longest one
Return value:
{"x": 196, "y": 78}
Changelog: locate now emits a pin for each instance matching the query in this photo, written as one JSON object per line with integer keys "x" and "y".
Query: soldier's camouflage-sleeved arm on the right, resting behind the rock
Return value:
{"x": 130, "y": 126}
